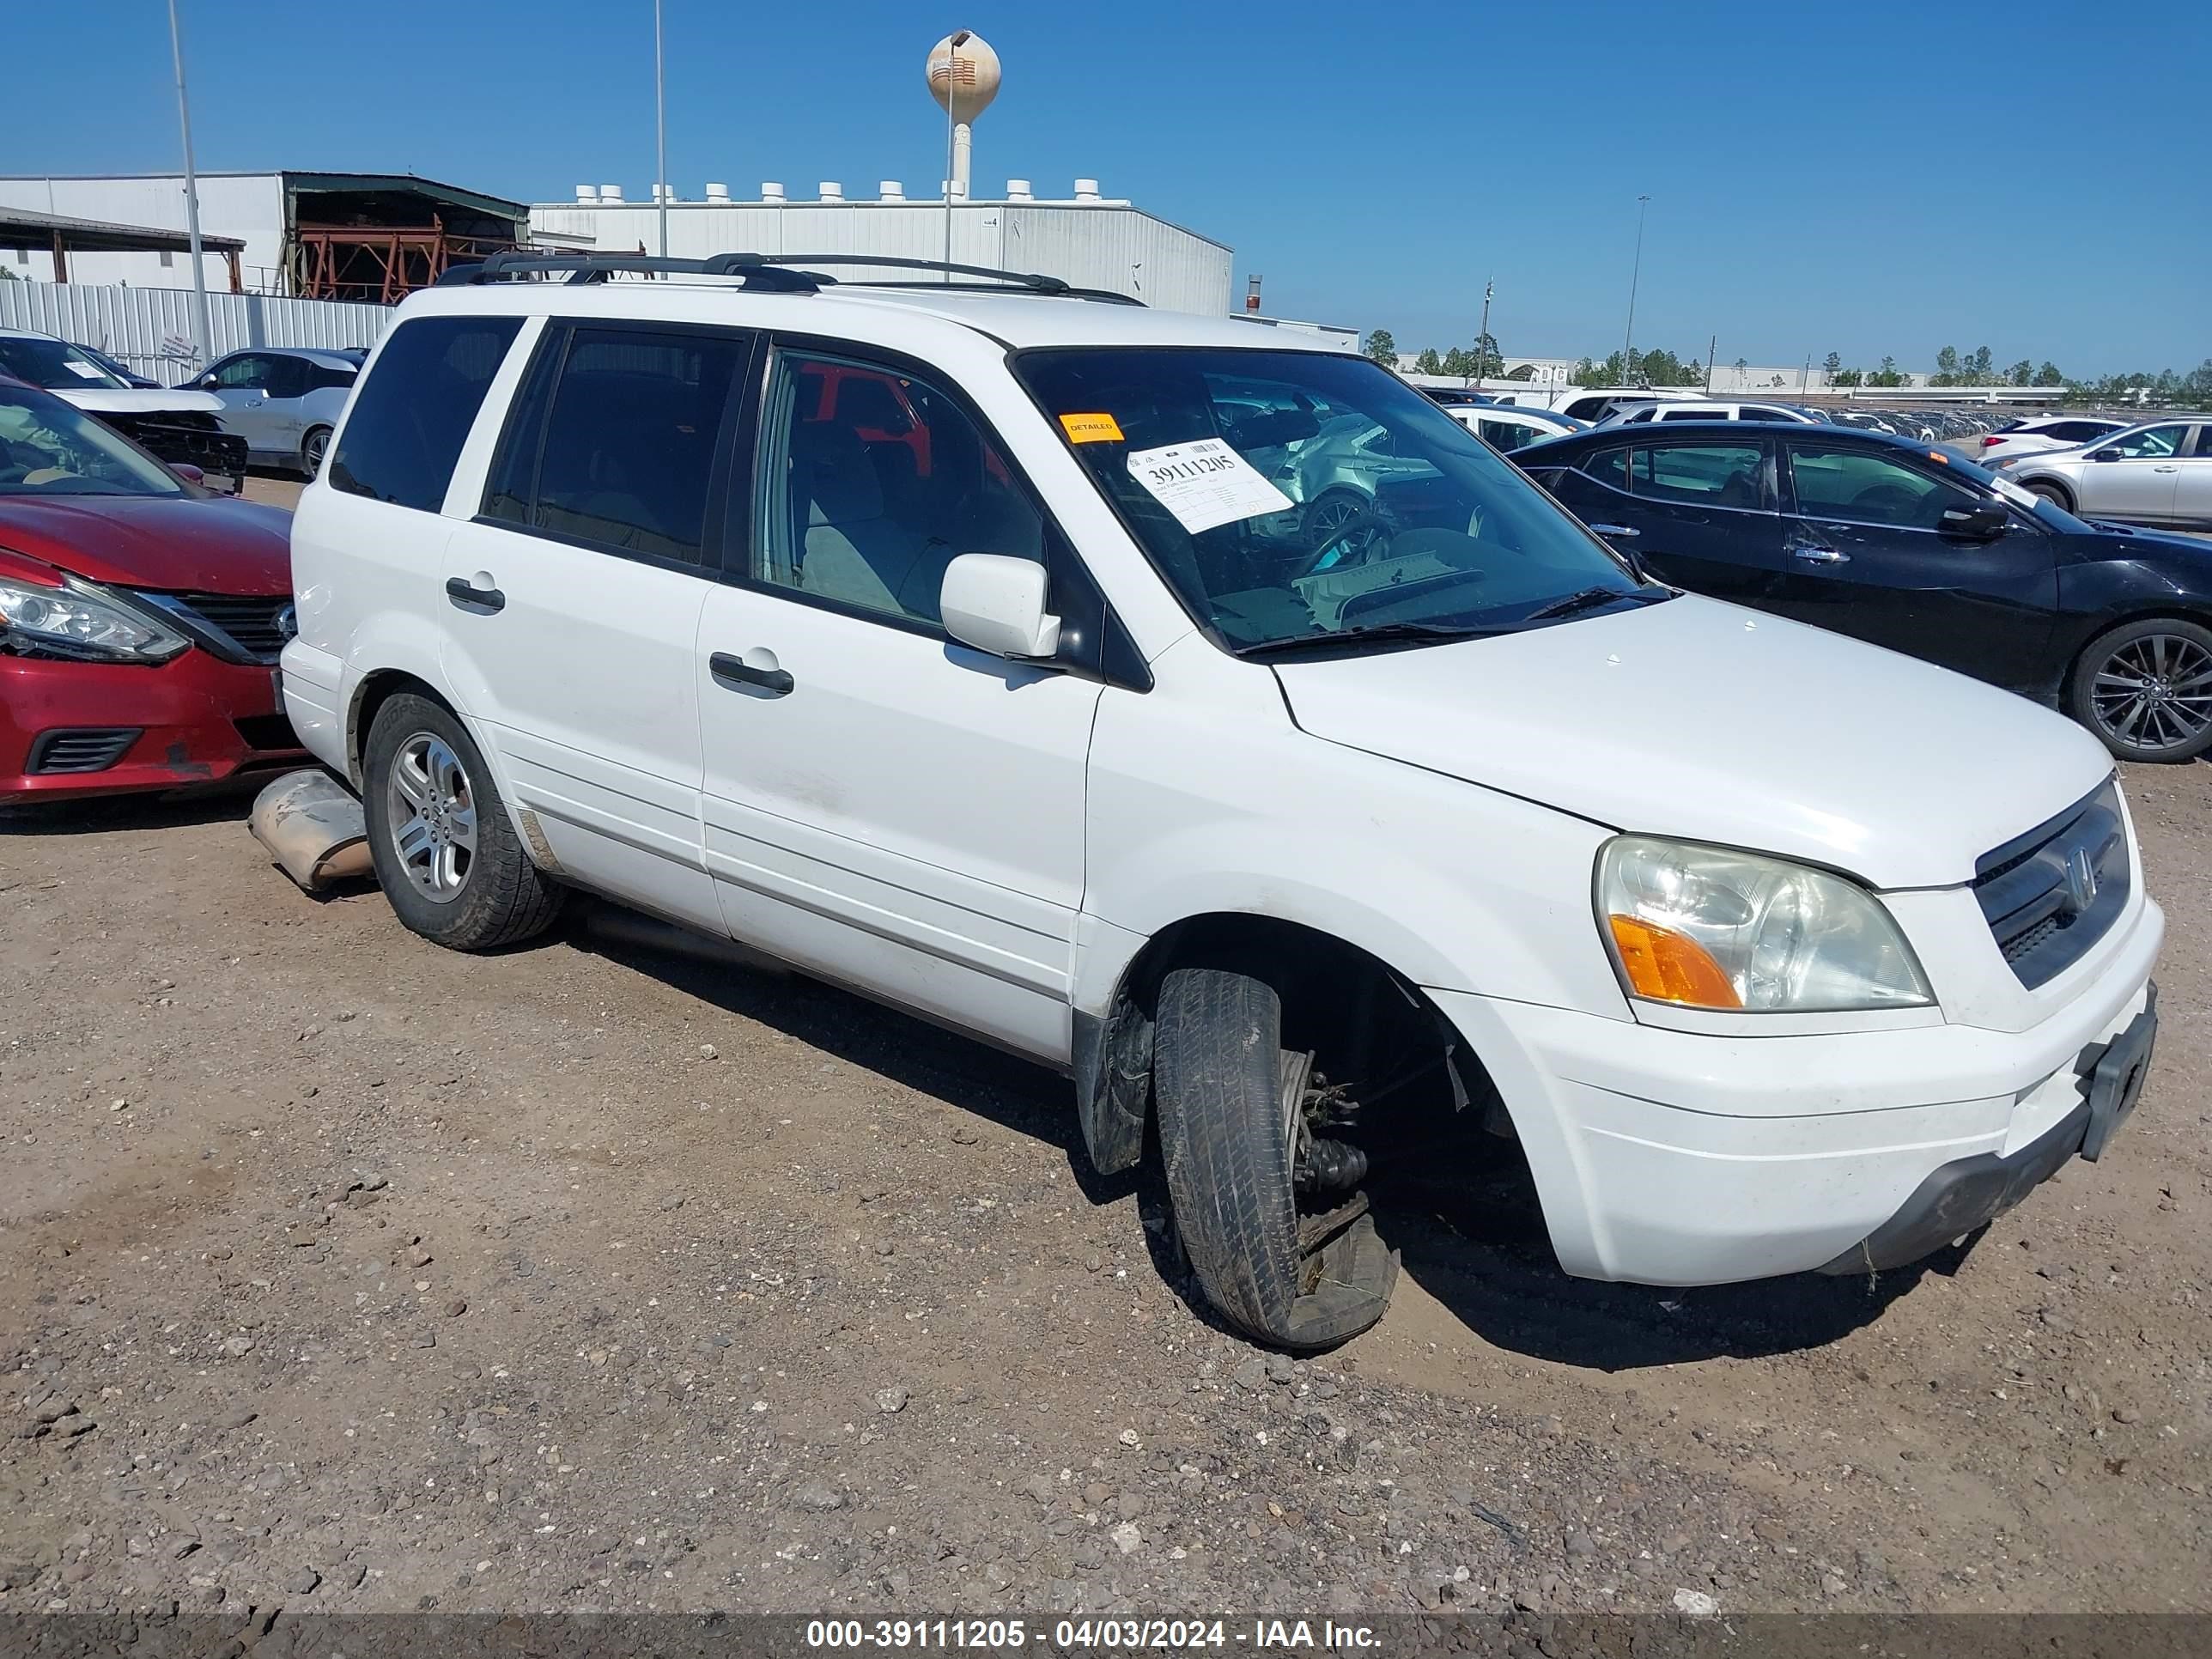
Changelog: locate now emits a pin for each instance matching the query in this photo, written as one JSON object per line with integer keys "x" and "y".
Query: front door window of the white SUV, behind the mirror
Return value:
{"x": 873, "y": 483}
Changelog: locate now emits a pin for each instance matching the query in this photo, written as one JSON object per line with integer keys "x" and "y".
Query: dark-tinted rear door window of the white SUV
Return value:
{"x": 616, "y": 446}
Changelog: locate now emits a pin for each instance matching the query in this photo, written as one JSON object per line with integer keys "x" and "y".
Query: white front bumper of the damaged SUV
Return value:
{"x": 1673, "y": 1158}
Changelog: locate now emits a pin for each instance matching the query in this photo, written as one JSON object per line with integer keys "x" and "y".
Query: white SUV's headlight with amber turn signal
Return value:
{"x": 1729, "y": 930}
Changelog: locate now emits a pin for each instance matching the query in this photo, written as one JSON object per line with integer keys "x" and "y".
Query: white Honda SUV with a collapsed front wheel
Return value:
{"x": 966, "y": 643}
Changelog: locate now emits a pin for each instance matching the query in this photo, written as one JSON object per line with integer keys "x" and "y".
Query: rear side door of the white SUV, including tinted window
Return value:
{"x": 574, "y": 596}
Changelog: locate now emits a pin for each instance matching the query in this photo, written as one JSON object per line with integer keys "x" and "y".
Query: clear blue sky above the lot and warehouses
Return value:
{"x": 1868, "y": 178}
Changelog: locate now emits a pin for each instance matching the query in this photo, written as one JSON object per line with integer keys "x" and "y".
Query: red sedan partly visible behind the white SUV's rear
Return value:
{"x": 140, "y": 616}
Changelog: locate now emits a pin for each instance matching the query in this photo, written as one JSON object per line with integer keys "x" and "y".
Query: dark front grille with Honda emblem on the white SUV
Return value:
{"x": 2054, "y": 893}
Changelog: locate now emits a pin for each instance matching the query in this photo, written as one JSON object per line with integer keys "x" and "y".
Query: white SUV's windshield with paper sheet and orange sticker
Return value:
{"x": 1304, "y": 499}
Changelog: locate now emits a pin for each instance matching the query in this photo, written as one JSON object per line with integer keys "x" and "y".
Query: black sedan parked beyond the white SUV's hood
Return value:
{"x": 1908, "y": 547}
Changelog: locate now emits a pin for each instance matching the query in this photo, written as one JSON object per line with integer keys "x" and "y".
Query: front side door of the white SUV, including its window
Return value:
{"x": 881, "y": 804}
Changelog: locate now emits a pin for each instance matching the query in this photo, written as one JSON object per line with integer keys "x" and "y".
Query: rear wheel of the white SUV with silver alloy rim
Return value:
{"x": 439, "y": 835}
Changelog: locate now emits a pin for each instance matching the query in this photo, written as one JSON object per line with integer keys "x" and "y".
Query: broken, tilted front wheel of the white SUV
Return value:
{"x": 1231, "y": 1123}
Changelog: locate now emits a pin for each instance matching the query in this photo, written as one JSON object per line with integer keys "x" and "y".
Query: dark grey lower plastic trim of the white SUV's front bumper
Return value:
{"x": 1974, "y": 1191}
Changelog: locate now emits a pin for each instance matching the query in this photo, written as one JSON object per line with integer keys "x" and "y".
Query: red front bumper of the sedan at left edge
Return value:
{"x": 191, "y": 722}
